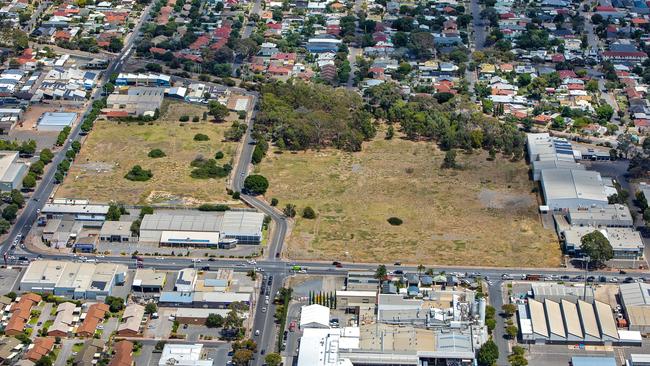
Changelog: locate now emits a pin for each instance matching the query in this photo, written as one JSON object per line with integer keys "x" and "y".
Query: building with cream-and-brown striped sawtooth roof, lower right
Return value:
{"x": 567, "y": 322}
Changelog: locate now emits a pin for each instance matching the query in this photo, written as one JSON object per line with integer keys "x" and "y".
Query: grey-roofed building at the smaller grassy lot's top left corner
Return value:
{"x": 138, "y": 101}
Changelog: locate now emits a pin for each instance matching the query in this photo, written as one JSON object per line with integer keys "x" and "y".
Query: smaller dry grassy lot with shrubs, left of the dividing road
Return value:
{"x": 112, "y": 148}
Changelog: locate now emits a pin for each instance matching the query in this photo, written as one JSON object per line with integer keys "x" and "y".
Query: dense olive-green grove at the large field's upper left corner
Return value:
{"x": 299, "y": 116}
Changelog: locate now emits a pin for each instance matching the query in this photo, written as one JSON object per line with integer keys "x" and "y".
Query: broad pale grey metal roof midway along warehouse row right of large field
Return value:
{"x": 567, "y": 189}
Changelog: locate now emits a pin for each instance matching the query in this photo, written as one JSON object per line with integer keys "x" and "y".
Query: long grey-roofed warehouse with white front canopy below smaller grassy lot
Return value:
{"x": 202, "y": 229}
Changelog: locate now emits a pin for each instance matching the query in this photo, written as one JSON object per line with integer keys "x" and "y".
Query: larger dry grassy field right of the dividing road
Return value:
{"x": 484, "y": 214}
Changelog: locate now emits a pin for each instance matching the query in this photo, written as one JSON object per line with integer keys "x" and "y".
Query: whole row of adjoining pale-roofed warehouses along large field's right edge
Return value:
{"x": 579, "y": 199}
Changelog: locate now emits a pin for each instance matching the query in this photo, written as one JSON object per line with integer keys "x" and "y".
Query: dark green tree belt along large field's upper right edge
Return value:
{"x": 453, "y": 125}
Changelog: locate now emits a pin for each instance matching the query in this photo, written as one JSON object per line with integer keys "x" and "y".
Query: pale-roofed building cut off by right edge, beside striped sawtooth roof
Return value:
{"x": 635, "y": 298}
